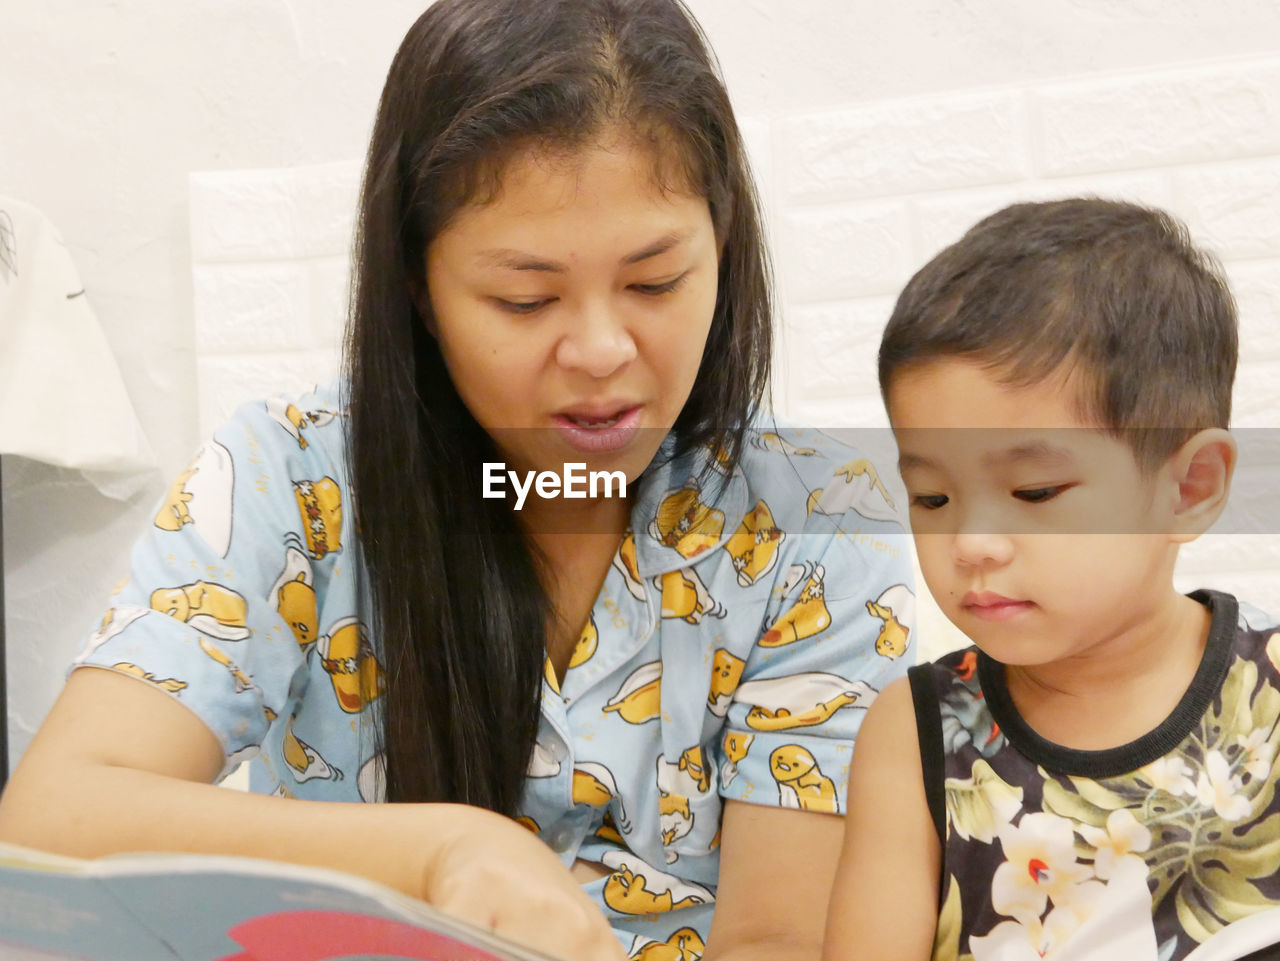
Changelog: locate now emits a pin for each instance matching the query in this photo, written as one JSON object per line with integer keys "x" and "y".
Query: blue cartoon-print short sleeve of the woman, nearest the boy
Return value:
{"x": 838, "y": 629}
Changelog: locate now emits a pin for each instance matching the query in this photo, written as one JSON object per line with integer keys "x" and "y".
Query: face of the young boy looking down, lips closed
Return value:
{"x": 1036, "y": 532}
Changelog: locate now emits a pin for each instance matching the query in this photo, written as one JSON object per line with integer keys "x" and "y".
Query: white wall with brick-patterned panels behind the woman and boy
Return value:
{"x": 879, "y": 132}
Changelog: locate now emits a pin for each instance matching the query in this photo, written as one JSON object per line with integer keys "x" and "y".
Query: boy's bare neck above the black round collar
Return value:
{"x": 1122, "y": 688}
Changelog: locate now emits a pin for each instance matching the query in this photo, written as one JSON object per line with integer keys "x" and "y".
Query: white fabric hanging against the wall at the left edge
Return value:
{"x": 62, "y": 400}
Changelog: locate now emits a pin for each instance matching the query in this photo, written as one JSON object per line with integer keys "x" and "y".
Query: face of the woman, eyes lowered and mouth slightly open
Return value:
{"x": 573, "y": 309}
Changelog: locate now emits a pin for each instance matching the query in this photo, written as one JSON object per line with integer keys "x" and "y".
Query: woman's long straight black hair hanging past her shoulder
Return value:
{"x": 455, "y": 596}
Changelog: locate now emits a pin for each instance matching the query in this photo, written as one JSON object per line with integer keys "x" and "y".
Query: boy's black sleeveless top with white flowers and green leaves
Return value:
{"x": 1140, "y": 853}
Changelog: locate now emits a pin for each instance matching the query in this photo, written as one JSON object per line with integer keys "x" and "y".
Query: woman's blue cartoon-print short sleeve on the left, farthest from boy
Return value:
{"x": 221, "y": 606}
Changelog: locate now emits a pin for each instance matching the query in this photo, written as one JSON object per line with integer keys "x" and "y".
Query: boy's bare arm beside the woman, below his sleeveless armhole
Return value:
{"x": 885, "y": 903}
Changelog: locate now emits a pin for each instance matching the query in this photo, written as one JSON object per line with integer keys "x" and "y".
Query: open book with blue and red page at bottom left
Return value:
{"x": 199, "y": 908}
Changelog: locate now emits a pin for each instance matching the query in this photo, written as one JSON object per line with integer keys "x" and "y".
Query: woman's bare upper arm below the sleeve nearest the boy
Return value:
{"x": 776, "y": 872}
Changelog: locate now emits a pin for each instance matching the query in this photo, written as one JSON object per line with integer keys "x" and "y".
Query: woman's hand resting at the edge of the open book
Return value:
{"x": 495, "y": 875}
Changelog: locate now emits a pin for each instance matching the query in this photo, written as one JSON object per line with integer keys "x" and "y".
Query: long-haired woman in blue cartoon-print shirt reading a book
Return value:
{"x": 559, "y": 264}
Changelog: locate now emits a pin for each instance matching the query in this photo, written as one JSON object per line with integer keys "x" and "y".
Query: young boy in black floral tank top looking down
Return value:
{"x": 1098, "y": 776}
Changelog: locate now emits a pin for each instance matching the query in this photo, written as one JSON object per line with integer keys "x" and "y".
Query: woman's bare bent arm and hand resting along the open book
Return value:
{"x": 122, "y": 767}
